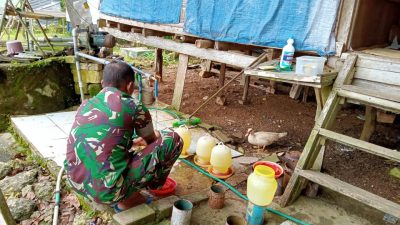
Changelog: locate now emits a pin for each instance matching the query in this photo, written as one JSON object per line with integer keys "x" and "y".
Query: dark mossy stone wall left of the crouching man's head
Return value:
{"x": 39, "y": 87}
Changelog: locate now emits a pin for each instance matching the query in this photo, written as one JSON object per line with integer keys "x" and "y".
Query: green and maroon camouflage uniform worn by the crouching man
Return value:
{"x": 98, "y": 163}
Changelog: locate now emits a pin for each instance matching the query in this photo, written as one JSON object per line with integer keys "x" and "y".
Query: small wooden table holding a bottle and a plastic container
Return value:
{"x": 322, "y": 83}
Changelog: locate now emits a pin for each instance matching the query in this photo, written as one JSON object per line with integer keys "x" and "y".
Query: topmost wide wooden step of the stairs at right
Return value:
{"x": 367, "y": 97}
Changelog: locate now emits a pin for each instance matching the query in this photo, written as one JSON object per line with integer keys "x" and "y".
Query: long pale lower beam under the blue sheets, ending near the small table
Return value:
{"x": 184, "y": 48}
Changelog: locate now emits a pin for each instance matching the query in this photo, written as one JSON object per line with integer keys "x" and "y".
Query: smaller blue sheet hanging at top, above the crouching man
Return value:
{"x": 150, "y": 11}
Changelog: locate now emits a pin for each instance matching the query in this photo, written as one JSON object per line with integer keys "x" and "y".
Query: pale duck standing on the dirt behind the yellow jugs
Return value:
{"x": 263, "y": 139}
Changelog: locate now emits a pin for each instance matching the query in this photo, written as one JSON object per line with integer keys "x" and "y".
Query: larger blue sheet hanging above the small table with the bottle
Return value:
{"x": 310, "y": 23}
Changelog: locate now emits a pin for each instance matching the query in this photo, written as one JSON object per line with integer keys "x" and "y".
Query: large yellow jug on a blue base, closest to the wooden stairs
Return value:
{"x": 261, "y": 186}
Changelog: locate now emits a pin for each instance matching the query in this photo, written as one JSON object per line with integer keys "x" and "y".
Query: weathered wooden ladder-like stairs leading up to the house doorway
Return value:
{"x": 347, "y": 88}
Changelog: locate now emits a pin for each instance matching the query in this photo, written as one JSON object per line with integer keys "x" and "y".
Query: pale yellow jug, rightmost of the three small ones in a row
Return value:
{"x": 221, "y": 159}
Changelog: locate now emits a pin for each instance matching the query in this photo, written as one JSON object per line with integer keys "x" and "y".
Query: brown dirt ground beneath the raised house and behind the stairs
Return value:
{"x": 279, "y": 113}
